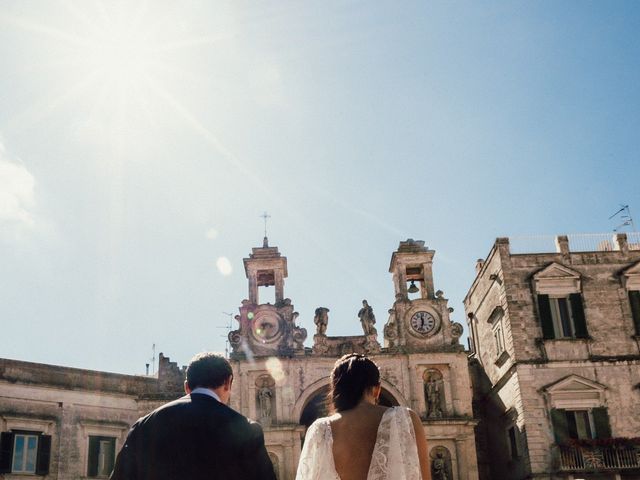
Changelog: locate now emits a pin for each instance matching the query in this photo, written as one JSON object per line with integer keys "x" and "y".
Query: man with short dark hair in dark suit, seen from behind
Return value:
{"x": 197, "y": 436}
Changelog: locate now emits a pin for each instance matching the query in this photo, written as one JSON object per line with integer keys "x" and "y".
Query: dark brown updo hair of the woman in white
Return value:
{"x": 351, "y": 376}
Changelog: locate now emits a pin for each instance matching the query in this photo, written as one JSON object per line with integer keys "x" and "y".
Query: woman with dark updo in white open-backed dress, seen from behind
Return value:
{"x": 362, "y": 440}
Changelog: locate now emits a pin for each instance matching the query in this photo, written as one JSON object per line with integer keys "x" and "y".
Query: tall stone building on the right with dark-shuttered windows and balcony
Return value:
{"x": 556, "y": 358}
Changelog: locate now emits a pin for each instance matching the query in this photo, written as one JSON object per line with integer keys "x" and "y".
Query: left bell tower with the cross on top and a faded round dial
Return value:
{"x": 266, "y": 329}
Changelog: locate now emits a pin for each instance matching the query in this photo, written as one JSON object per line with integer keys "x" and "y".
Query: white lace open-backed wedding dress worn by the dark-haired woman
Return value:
{"x": 395, "y": 455}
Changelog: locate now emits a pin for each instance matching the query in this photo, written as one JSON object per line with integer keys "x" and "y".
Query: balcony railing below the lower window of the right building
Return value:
{"x": 595, "y": 458}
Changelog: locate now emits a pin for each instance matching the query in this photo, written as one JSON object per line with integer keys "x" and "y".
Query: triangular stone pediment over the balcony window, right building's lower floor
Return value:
{"x": 575, "y": 391}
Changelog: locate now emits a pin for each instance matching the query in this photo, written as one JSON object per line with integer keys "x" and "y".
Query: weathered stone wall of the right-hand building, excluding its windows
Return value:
{"x": 513, "y": 391}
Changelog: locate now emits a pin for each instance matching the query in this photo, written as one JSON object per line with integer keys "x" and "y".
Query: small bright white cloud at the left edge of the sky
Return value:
{"x": 17, "y": 193}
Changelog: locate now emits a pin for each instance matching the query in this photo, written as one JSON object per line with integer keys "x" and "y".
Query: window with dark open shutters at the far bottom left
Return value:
{"x": 24, "y": 452}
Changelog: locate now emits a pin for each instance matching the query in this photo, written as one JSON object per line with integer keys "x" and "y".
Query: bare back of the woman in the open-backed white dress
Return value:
{"x": 354, "y": 435}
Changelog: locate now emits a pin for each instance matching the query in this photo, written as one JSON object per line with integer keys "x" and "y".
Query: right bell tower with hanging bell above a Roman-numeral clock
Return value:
{"x": 419, "y": 319}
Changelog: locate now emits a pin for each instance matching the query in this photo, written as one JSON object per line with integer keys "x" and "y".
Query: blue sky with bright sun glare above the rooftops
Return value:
{"x": 139, "y": 144}
